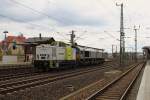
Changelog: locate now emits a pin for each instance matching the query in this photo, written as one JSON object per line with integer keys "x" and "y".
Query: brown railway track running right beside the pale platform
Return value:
{"x": 118, "y": 89}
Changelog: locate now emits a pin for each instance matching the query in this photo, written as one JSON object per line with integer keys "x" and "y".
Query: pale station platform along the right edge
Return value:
{"x": 144, "y": 89}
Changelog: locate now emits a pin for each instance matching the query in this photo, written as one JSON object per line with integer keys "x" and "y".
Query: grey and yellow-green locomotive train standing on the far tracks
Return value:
{"x": 61, "y": 55}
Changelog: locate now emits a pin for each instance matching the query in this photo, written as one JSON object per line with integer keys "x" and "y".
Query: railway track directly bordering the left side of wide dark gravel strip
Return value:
{"x": 43, "y": 79}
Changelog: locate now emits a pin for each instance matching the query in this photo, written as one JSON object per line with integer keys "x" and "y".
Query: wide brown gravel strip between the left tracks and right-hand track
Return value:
{"x": 58, "y": 89}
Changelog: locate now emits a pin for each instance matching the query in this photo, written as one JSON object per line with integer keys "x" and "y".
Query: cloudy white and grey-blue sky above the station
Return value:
{"x": 96, "y": 22}
